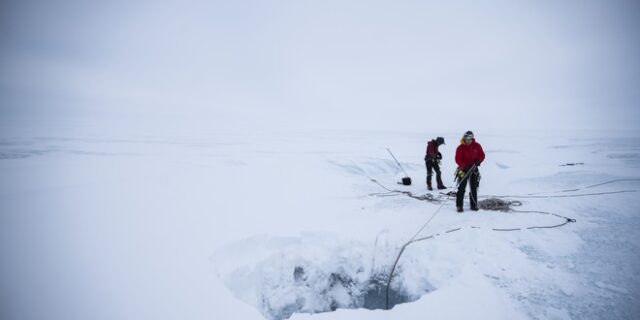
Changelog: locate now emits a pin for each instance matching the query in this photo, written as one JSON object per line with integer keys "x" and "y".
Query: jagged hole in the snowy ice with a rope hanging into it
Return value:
{"x": 313, "y": 277}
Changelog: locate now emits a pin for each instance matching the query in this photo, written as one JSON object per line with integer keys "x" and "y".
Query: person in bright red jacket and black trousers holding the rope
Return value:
{"x": 469, "y": 156}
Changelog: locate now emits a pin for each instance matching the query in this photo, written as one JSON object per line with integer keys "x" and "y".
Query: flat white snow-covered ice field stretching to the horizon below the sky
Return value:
{"x": 266, "y": 224}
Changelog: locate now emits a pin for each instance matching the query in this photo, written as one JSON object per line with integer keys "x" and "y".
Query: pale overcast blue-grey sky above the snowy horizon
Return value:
{"x": 74, "y": 67}
